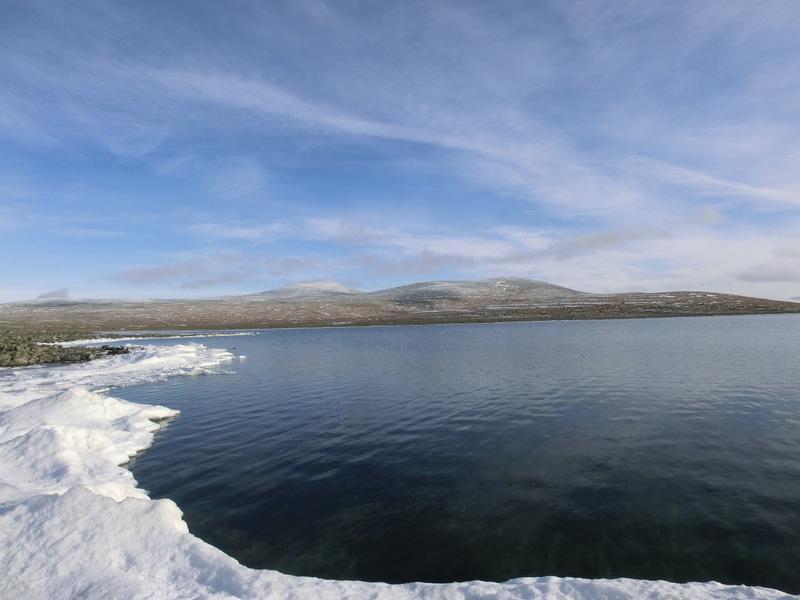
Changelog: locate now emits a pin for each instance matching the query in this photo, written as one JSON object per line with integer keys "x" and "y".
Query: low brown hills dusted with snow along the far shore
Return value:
{"x": 332, "y": 304}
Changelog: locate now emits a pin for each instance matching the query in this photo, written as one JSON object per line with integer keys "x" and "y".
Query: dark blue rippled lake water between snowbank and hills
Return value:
{"x": 658, "y": 449}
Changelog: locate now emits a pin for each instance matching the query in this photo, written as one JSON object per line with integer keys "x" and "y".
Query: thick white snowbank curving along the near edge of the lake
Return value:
{"x": 74, "y": 523}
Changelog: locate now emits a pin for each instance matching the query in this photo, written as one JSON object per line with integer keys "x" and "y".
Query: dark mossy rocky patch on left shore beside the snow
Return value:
{"x": 25, "y": 349}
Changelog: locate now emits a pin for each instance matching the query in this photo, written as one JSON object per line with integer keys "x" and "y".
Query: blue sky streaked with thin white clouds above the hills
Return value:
{"x": 191, "y": 148}
